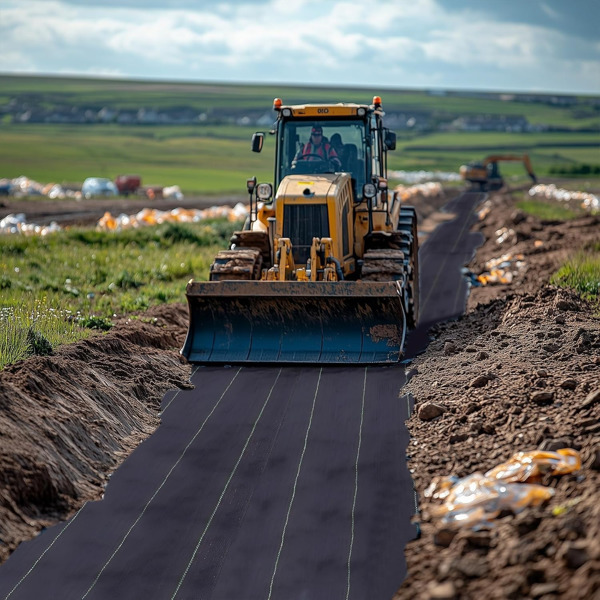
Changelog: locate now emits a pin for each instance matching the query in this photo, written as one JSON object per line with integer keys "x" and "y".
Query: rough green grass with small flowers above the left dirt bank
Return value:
{"x": 60, "y": 285}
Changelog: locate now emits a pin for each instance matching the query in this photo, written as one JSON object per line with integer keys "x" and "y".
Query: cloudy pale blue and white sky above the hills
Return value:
{"x": 513, "y": 45}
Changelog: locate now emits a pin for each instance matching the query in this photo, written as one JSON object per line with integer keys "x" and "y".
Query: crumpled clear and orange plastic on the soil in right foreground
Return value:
{"x": 475, "y": 500}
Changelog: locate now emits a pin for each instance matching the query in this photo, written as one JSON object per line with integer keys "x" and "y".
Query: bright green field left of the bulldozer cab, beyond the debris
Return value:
{"x": 199, "y": 164}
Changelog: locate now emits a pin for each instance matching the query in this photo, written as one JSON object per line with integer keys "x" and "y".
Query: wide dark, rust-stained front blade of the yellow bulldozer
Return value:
{"x": 294, "y": 322}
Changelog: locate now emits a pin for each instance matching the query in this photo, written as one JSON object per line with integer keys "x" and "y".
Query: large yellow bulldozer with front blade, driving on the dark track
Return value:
{"x": 325, "y": 269}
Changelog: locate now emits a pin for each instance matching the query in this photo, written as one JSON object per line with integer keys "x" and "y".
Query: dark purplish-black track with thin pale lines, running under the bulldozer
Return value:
{"x": 262, "y": 482}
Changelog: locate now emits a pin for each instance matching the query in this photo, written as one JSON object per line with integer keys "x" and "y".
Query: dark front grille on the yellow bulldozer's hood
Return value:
{"x": 301, "y": 223}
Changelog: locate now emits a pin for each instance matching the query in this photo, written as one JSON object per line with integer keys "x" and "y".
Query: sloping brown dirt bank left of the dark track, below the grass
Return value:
{"x": 69, "y": 419}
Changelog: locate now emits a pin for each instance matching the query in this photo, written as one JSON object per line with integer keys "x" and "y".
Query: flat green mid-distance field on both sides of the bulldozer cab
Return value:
{"x": 217, "y": 159}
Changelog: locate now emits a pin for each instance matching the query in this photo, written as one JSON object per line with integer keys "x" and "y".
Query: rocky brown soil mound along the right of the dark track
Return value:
{"x": 520, "y": 371}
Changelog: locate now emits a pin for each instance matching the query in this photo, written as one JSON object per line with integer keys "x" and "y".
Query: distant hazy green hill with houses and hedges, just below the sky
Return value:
{"x": 33, "y": 99}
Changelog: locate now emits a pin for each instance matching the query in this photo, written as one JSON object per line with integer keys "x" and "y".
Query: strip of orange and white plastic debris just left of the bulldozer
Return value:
{"x": 153, "y": 216}
